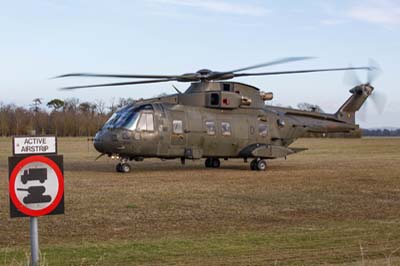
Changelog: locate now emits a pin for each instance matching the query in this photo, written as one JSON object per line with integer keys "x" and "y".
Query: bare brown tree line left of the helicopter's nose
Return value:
{"x": 64, "y": 118}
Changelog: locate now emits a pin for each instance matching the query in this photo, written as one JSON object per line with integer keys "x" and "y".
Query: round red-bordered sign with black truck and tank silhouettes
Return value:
{"x": 36, "y": 186}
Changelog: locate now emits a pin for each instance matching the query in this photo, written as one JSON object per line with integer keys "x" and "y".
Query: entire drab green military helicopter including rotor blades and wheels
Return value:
{"x": 216, "y": 119}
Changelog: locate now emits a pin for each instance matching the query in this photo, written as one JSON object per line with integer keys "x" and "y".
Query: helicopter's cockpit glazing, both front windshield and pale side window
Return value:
{"x": 132, "y": 118}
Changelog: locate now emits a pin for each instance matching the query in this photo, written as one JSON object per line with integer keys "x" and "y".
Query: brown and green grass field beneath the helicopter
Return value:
{"x": 335, "y": 204}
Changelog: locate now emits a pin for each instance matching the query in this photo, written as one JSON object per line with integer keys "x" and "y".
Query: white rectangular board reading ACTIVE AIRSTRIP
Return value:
{"x": 35, "y": 145}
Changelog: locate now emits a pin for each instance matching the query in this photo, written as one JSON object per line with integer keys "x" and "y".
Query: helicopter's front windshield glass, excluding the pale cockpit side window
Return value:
{"x": 126, "y": 117}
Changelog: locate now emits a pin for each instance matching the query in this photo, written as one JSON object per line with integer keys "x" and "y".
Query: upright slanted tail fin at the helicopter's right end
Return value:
{"x": 347, "y": 111}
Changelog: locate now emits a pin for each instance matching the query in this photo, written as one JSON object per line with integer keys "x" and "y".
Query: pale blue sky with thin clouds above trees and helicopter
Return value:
{"x": 42, "y": 39}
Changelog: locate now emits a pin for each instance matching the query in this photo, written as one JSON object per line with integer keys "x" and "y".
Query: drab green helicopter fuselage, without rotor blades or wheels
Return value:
{"x": 214, "y": 120}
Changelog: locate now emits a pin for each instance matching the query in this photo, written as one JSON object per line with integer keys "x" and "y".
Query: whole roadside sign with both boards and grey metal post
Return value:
{"x": 36, "y": 183}
